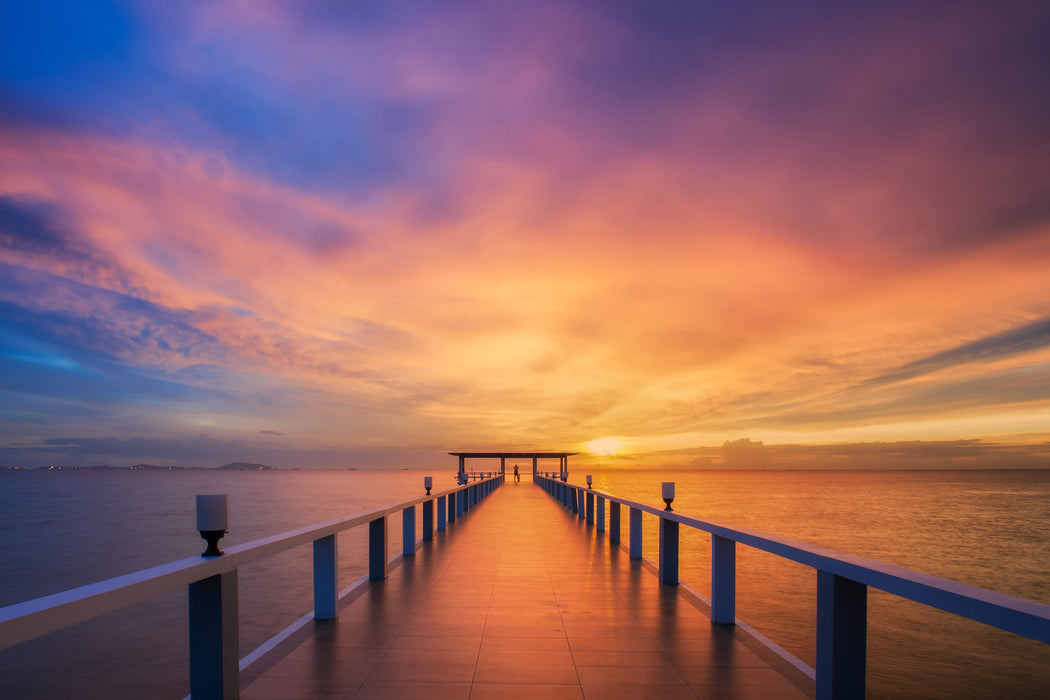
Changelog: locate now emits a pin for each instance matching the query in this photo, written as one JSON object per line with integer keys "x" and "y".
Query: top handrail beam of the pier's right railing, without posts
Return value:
{"x": 1028, "y": 619}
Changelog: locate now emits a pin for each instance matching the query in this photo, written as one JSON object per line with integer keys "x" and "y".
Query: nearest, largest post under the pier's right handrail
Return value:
{"x": 842, "y": 638}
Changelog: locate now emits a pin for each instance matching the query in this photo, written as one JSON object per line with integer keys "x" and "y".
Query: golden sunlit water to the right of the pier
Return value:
{"x": 989, "y": 529}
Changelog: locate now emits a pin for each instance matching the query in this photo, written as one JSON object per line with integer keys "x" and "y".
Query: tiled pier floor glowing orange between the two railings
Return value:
{"x": 521, "y": 600}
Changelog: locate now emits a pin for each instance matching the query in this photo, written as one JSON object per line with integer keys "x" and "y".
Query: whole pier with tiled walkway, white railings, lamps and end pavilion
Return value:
{"x": 536, "y": 588}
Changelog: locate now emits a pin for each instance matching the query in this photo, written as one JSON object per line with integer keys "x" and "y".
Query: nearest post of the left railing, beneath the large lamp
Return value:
{"x": 215, "y": 659}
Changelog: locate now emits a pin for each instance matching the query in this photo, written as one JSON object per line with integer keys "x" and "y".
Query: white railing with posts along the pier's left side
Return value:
{"x": 213, "y": 583}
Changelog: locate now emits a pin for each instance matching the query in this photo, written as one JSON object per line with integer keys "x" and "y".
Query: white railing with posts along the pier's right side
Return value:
{"x": 843, "y": 583}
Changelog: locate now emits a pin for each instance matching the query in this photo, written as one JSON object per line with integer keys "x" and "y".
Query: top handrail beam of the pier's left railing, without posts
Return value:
{"x": 29, "y": 620}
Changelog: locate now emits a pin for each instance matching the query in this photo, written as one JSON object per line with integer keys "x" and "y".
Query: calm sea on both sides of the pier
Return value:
{"x": 60, "y": 529}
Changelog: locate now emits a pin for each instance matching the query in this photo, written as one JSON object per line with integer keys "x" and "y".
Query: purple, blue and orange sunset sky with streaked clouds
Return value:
{"x": 329, "y": 235}
